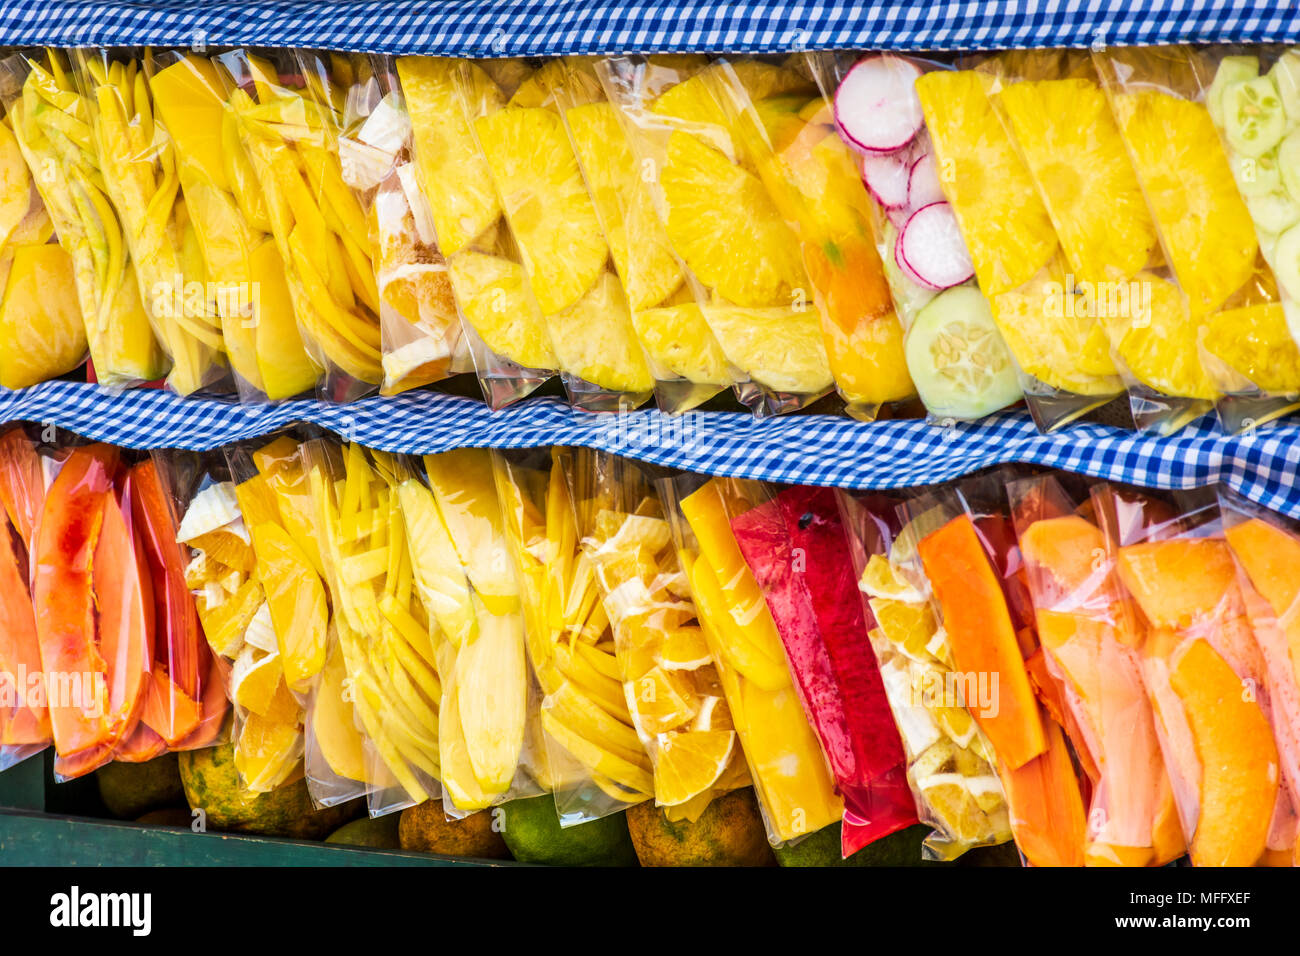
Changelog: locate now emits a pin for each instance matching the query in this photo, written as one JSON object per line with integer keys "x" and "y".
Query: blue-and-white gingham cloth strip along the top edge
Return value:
{"x": 535, "y": 28}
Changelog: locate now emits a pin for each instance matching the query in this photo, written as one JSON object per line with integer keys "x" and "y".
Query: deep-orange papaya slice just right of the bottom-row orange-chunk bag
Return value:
{"x": 983, "y": 639}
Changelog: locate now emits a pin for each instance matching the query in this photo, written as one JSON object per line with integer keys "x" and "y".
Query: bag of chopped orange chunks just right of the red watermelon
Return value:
{"x": 950, "y": 762}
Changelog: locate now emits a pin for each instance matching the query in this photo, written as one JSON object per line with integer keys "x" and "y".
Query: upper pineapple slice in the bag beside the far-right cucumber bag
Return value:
{"x": 1206, "y": 227}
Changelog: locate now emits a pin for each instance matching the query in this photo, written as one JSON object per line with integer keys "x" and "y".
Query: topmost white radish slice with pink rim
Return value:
{"x": 877, "y": 106}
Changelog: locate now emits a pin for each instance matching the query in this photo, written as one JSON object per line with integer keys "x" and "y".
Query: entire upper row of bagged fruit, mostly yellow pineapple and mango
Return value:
{"x": 1050, "y": 226}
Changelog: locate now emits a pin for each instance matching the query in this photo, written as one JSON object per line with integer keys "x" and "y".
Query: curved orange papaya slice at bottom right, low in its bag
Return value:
{"x": 1238, "y": 758}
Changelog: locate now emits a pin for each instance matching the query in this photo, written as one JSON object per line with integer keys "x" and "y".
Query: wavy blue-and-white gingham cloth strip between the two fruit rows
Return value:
{"x": 808, "y": 449}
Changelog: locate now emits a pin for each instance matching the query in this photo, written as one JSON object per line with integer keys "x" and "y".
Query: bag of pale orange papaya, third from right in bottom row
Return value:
{"x": 1093, "y": 647}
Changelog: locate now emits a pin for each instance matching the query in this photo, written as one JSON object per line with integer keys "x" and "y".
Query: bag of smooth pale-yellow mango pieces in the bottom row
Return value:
{"x": 489, "y": 745}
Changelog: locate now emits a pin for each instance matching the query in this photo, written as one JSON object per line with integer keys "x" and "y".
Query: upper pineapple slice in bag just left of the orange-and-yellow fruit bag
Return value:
{"x": 725, "y": 226}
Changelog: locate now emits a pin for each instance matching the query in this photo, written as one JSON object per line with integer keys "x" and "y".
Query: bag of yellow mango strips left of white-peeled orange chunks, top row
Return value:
{"x": 287, "y": 118}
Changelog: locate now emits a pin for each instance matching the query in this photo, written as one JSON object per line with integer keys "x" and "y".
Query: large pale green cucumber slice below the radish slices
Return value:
{"x": 957, "y": 357}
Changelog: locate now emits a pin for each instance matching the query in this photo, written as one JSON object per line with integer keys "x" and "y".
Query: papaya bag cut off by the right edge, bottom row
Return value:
{"x": 1264, "y": 546}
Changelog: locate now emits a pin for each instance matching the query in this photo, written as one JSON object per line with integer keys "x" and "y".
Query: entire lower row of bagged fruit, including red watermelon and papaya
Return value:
{"x": 1100, "y": 674}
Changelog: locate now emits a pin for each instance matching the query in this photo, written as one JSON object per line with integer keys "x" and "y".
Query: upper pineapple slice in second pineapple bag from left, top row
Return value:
{"x": 541, "y": 189}
